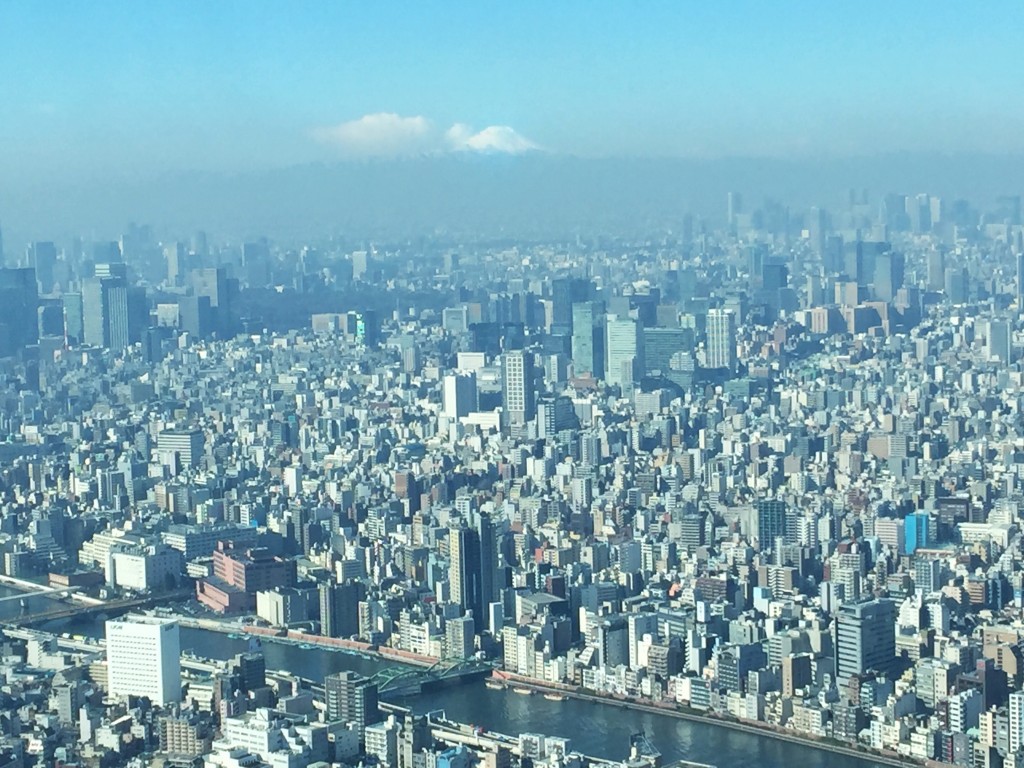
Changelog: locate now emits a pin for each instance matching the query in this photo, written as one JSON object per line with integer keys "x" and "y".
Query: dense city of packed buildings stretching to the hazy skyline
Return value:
{"x": 764, "y": 471}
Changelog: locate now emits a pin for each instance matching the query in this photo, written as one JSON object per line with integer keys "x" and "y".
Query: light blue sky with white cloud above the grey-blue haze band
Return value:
{"x": 122, "y": 88}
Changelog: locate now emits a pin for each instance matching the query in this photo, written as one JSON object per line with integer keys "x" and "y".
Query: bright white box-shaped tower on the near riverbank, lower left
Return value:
{"x": 144, "y": 659}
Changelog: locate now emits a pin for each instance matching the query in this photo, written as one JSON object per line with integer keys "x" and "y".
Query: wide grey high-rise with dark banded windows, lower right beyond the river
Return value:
{"x": 866, "y": 638}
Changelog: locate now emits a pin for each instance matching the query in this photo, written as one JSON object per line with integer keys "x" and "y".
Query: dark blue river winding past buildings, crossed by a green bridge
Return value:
{"x": 603, "y": 731}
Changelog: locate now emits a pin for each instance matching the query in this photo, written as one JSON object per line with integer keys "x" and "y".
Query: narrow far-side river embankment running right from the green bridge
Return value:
{"x": 541, "y": 687}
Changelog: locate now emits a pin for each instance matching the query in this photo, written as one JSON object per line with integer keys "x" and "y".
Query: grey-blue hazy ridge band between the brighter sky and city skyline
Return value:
{"x": 534, "y": 194}
